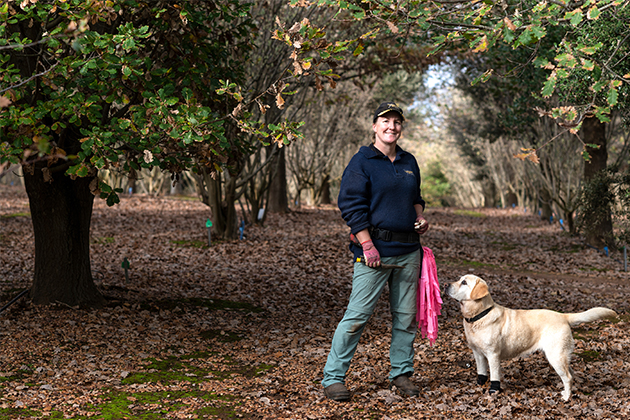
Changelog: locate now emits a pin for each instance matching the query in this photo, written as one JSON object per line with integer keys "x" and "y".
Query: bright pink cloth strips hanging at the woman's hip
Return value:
{"x": 429, "y": 302}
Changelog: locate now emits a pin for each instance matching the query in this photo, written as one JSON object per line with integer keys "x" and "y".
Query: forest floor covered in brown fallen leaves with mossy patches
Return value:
{"x": 242, "y": 329}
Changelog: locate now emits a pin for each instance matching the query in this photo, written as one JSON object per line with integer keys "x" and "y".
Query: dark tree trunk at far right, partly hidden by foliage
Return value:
{"x": 594, "y": 132}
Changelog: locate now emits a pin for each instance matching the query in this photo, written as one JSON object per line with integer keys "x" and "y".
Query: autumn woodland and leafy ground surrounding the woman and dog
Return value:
{"x": 132, "y": 125}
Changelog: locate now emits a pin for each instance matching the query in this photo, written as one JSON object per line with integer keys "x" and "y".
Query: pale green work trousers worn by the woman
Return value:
{"x": 367, "y": 286}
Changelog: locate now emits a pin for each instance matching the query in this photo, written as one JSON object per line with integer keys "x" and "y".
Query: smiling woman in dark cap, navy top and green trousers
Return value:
{"x": 380, "y": 200}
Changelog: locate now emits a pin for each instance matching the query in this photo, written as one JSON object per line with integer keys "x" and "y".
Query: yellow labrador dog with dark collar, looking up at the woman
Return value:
{"x": 495, "y": 333}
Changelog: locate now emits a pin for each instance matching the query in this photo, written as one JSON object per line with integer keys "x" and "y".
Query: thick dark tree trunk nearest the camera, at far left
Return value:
{"x": 61, "y": 212}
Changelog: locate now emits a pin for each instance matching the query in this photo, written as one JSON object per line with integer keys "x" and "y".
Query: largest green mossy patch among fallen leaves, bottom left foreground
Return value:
{"x": 186, "y": 373}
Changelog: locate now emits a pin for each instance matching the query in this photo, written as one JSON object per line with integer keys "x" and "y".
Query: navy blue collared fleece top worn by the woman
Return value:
{"x": 380, "y": 193}
